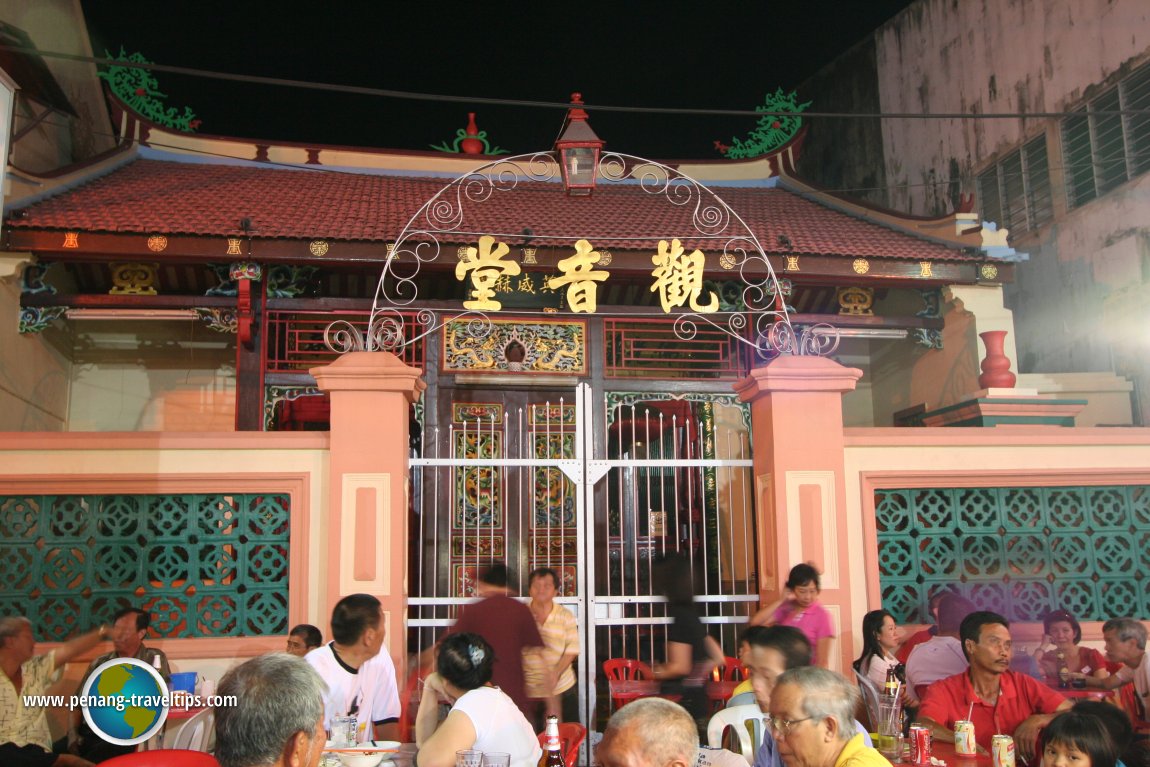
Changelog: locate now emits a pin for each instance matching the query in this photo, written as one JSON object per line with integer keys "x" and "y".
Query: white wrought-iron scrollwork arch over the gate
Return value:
{"x": 763, "y": 323}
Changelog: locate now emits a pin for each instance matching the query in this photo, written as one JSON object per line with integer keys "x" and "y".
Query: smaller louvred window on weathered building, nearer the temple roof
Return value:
{"x": 1016, "y": 191}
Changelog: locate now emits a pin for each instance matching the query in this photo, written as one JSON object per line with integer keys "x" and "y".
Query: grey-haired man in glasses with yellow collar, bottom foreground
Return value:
{"x": 812, "y": 720}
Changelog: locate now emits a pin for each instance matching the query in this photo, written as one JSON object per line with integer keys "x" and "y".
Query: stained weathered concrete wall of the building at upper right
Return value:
{"x": 1078, "y": 302}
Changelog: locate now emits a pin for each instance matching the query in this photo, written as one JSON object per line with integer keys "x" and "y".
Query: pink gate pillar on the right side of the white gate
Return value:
{"x": 798, "y": 427}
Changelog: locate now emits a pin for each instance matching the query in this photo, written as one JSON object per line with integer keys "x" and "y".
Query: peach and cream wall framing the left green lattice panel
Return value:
{"x": 180, "y": 464}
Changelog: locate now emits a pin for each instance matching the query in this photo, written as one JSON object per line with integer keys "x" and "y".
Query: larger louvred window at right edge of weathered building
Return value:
{"x": 1103, "y": 149}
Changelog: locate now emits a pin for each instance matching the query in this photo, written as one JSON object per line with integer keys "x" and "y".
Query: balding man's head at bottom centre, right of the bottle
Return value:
{"x": 650, "y": 733}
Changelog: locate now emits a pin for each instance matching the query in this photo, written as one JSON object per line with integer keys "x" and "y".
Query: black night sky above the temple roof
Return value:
{"x": 715, "y": 56}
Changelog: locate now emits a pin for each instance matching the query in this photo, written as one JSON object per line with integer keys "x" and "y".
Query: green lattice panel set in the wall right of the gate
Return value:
{"x": 1017, "y": 551}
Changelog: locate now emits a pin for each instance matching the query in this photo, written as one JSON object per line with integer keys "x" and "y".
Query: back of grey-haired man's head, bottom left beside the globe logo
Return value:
{"x": 280, "y": 720}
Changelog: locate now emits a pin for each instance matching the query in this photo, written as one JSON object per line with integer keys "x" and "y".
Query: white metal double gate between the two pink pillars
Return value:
{"x": 596, "y": 487}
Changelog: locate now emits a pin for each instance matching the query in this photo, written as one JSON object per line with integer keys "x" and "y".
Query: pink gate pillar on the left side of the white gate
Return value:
{"x": 367, "y": 511}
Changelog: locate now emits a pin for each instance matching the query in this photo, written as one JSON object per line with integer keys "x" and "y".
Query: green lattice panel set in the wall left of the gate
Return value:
{"x": 203, "y": 565}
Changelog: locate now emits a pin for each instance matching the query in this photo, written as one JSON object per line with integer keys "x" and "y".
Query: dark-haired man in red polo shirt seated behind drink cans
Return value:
{"x": 999, "y": 701}
